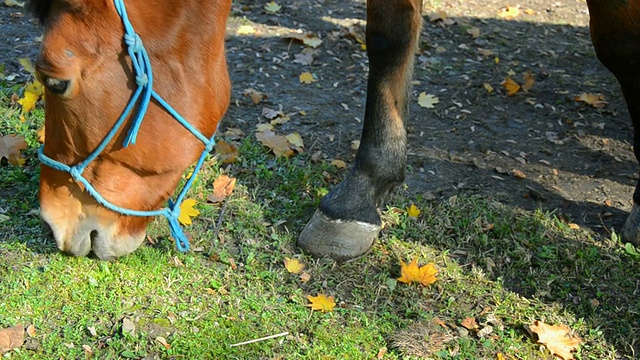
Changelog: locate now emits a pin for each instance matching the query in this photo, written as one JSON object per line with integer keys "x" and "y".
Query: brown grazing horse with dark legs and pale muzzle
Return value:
{"x": 89, "y": 78}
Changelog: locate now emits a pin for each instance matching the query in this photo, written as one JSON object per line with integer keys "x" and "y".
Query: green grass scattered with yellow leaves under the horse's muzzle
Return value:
{"x": 503, "y": 266}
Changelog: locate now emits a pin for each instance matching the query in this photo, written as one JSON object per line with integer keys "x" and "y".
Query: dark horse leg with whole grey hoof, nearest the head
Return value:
{"x": 347, "y": 220}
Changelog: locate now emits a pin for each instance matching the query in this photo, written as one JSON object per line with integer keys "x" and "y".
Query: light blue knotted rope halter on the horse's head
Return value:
{"x": 144, "y": 92}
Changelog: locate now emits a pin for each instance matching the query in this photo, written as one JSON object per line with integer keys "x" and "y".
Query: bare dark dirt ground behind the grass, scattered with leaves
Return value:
{"x": 577, "y": 160}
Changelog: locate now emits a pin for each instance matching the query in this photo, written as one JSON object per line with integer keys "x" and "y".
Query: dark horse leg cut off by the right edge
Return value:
{"x": 615, "y": 32}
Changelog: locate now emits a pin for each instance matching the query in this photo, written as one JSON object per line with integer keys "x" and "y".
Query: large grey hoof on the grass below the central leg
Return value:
{"x": 338, "y": 239}
